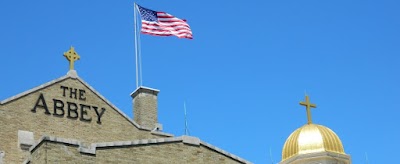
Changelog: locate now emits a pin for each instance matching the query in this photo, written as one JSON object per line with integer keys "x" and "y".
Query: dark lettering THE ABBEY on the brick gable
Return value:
{"x": 71, "y": 109}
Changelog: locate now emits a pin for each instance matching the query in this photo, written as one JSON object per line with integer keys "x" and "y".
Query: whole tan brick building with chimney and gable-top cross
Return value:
{"x": 67, "y": 121}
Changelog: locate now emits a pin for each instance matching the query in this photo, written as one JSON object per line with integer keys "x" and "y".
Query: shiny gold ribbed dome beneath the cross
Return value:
{"x": 311, "y": 138}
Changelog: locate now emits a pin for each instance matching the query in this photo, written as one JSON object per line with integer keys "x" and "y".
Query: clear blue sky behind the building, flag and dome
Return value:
{"x": 243, "y": 74}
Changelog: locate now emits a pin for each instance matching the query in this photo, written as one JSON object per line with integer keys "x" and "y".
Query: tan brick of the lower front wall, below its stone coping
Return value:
{"x": 172, "y": 152}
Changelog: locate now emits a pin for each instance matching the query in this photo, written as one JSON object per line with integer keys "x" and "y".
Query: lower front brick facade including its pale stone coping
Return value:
{"x": 162, "y": 150}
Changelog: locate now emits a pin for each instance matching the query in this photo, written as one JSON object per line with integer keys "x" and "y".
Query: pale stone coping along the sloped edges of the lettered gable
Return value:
{"x": 73, "y": 75}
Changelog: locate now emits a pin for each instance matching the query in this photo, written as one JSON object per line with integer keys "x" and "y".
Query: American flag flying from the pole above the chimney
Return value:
{"x": 163, "y": 24}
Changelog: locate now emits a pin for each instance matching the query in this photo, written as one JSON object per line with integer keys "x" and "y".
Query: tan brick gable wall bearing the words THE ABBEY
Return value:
{"x": 66, "y": 107}
